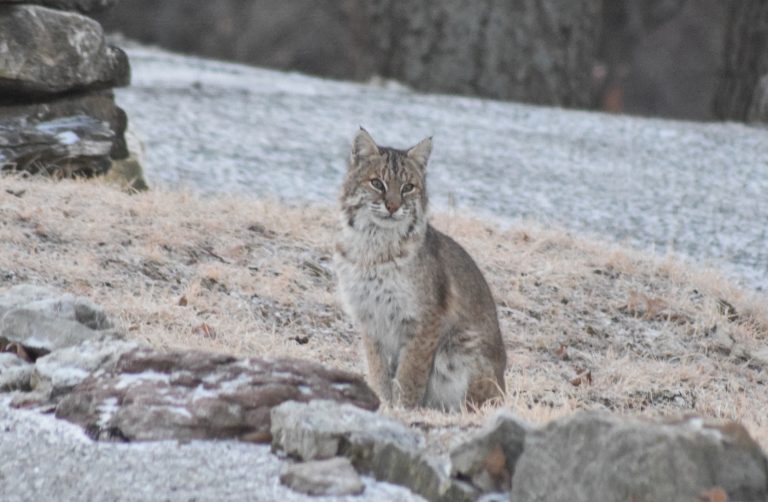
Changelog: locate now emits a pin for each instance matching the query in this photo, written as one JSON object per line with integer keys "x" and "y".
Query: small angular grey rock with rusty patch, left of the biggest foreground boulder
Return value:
{"x": 488, "y": 458}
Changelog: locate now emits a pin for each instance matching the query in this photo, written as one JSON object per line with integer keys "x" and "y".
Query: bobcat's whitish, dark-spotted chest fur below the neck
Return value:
{"x": 380, "y": 299}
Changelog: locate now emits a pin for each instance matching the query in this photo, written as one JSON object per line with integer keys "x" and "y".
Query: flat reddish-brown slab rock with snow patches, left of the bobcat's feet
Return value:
{"x": 151, "y": 395}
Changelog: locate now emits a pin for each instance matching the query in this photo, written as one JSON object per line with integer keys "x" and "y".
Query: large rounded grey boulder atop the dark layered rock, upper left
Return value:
{"x": 45, "y": 51}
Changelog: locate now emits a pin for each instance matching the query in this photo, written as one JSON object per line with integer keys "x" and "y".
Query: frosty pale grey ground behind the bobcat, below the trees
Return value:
{"x": 699, "y": 189}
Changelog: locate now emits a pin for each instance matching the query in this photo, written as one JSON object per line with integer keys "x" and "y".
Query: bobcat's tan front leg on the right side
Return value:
{"x": 415, "y": 365}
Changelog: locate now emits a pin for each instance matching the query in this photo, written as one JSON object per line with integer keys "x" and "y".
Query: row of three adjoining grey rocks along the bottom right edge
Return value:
{"x": 587, "y": 457}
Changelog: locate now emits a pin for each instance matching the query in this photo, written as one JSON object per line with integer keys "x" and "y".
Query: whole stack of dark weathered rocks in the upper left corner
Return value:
{"x": 57, "y": 112}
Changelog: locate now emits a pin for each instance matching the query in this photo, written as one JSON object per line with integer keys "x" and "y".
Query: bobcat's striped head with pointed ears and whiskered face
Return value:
{"x": 384, "y": 186}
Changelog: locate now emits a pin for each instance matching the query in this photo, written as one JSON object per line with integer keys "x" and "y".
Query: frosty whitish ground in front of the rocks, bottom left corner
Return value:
{"x": 48, "y": 459}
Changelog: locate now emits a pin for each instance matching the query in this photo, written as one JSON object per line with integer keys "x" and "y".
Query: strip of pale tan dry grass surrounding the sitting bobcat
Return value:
{"x": 587, "y": 324}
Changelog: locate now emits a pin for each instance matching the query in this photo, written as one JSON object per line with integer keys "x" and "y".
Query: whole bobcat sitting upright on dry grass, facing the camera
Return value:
{"x": 427, "y": 317}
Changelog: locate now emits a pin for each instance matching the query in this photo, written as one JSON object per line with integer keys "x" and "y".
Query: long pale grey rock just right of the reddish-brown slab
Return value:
{"x": 374, "y": 444}
